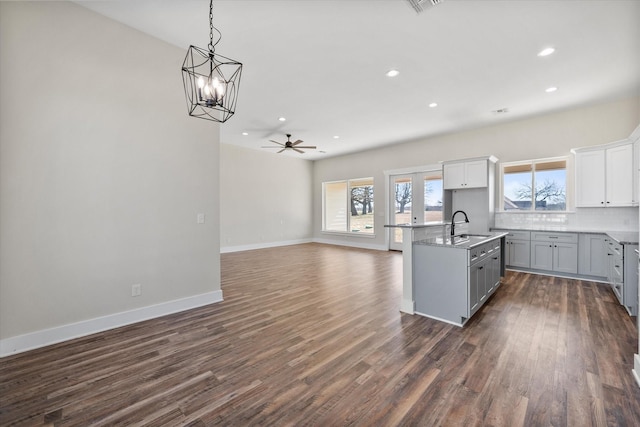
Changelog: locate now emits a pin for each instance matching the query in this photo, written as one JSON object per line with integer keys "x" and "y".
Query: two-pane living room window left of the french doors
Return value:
{"x": 348, "y": 206}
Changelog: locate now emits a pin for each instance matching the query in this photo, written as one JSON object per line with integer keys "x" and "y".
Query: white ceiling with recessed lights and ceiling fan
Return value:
{"x": 322, "y": 63}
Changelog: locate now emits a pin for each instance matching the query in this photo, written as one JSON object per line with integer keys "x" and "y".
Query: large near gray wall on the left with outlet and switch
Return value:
{"x": 102, "y": 172}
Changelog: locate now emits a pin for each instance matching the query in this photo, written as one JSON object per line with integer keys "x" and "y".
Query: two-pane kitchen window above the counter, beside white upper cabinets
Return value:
{"x": 548, "y": 178}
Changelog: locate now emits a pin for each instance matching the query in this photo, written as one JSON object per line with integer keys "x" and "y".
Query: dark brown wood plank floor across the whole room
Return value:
{"x": 311, "y": 335}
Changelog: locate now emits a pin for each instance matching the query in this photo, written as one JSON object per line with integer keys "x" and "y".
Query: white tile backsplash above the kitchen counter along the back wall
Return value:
{"x": 587, "y": 219}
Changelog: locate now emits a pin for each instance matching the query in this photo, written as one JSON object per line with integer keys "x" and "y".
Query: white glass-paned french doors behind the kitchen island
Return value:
{"x": 416, "y": 198}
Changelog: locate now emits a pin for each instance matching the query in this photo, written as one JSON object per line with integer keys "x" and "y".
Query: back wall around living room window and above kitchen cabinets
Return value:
{"x": 548, "y": 135}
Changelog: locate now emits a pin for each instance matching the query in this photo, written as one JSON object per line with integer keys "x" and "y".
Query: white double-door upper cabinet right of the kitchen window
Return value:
{"x": 604, "y": 176}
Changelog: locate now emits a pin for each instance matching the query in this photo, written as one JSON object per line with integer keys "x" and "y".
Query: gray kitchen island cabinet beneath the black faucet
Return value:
{"x": 453, "y": 280}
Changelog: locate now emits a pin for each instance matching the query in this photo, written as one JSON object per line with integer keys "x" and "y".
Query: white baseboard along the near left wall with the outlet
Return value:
{"x": 33, "y": 340}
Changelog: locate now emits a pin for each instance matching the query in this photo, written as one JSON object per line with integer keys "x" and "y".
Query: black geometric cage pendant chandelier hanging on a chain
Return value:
{"x": 211, "y": 81}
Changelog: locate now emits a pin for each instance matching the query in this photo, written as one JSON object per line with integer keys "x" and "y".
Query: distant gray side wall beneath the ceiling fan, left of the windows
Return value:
{"x": 266, "y": 199}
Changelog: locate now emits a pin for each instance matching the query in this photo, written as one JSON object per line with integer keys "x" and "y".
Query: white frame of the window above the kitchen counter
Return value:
{"x": 532, "y": 163}
